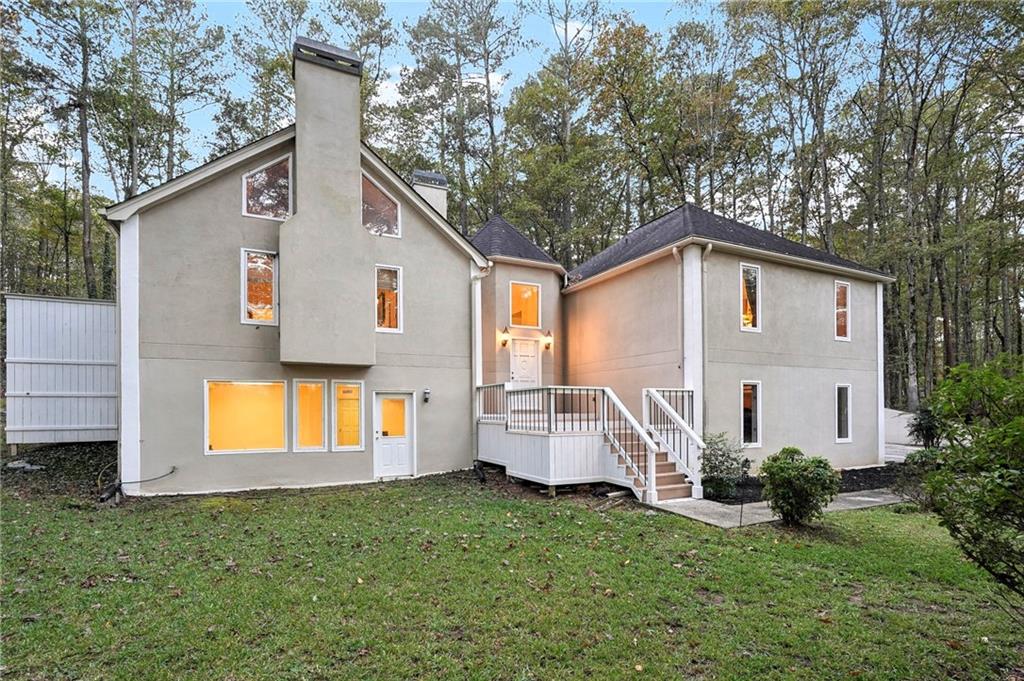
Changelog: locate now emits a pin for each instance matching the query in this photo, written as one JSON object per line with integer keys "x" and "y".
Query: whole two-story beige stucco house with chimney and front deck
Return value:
{"x": 295, "y": 314}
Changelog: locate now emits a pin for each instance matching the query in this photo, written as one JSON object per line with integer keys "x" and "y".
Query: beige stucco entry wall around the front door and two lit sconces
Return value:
{"x": 496, "y": 316}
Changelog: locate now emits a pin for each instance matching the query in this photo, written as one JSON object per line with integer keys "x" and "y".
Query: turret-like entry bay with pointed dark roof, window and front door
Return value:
{"x": 522, "y": 312}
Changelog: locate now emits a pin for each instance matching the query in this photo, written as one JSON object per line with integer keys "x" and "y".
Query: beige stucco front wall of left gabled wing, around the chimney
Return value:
{"x": 190, "y": 328}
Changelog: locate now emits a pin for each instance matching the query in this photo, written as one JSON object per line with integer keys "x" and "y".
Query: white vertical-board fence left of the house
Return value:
{"x": 62, "y": 370}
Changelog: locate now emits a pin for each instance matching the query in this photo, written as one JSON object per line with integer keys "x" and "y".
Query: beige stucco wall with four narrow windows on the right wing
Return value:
{"x": 795, "y": 357}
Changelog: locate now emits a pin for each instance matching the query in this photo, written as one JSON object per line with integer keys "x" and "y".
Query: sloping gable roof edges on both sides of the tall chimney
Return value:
{"x": 122, "y": 211}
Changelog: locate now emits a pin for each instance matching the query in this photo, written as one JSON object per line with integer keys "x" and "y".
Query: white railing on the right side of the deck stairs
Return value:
{"x": 663, "y": 420}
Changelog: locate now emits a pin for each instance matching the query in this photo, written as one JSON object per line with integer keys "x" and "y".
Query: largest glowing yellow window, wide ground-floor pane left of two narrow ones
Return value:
{"x": 245, "y": 416}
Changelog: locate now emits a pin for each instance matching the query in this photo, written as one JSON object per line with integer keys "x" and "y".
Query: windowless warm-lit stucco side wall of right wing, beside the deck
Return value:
{"x": 625, "y": 332}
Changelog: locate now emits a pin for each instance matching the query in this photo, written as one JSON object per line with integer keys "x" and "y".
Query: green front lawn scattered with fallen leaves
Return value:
{"x": 444, "y": 578}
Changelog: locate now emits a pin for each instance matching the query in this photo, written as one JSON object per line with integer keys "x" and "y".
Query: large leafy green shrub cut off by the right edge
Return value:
{"x": 978, "y": 486}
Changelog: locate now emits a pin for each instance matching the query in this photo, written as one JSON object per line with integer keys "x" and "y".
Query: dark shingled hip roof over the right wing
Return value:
{"x": 692, "y": 223}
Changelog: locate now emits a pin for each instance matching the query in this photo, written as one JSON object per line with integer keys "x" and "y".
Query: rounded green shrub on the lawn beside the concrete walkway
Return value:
{"x": 798, "y": 488}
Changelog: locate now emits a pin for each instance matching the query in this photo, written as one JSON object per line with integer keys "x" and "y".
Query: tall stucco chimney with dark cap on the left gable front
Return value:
{"x": 327, "y": 263}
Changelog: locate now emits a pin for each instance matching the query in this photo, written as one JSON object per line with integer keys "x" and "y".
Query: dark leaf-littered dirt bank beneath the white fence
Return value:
{"x": 71, "y": 470}
